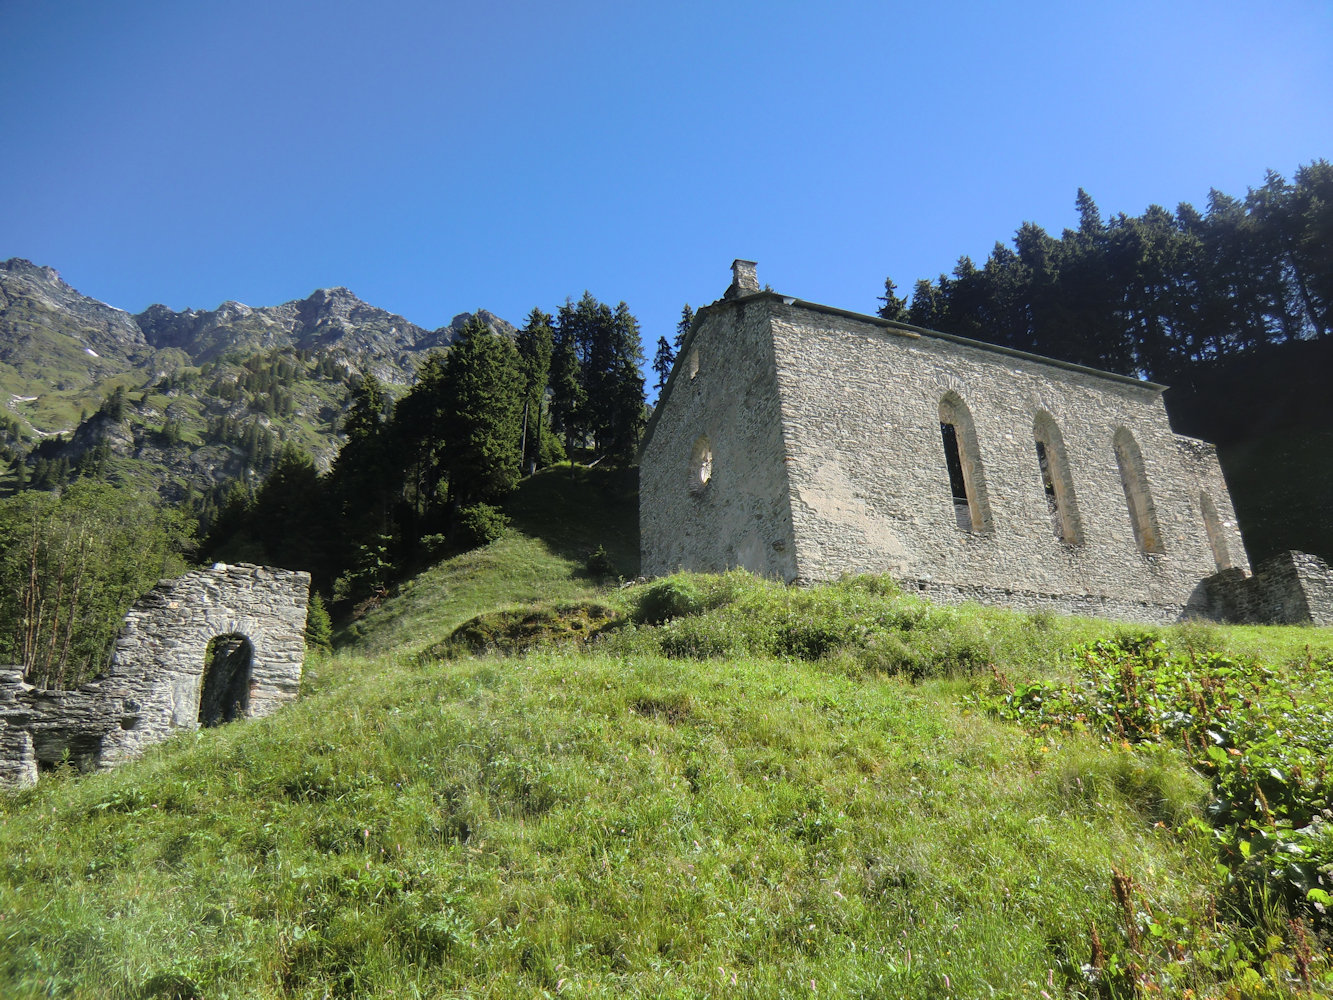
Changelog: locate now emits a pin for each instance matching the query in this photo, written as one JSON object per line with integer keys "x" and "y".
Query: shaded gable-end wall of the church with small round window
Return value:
{"x": 723, "y": 391}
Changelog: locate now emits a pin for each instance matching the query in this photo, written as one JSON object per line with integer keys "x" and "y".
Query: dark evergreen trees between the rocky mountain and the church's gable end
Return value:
{"x": 422, "y": 475}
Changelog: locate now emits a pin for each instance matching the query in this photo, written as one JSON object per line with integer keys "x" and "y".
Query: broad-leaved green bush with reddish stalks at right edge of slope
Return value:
{"x": 1260, "y": 734}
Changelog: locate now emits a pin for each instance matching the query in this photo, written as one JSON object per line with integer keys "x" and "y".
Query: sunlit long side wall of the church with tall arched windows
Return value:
{"x": 871, "y": 487}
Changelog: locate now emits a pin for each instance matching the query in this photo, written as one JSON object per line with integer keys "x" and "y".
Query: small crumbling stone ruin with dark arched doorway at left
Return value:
{"x": 206, "y": 649}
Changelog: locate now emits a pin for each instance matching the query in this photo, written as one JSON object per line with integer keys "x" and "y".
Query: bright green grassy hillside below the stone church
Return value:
{"x": 736, "y": 790}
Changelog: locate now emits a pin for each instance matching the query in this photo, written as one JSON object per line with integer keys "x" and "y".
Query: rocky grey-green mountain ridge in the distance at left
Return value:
{"x": 209, "y": 395}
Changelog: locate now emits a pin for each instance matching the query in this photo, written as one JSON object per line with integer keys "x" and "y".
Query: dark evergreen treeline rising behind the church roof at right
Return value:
{"x": 1150, "y": 295}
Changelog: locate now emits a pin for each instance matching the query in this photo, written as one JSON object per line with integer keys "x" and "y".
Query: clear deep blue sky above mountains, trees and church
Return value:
{"x": 437, "y": 158}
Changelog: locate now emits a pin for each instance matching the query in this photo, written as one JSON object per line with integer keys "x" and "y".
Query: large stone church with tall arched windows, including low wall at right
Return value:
{"x": 804, "y": 442}
